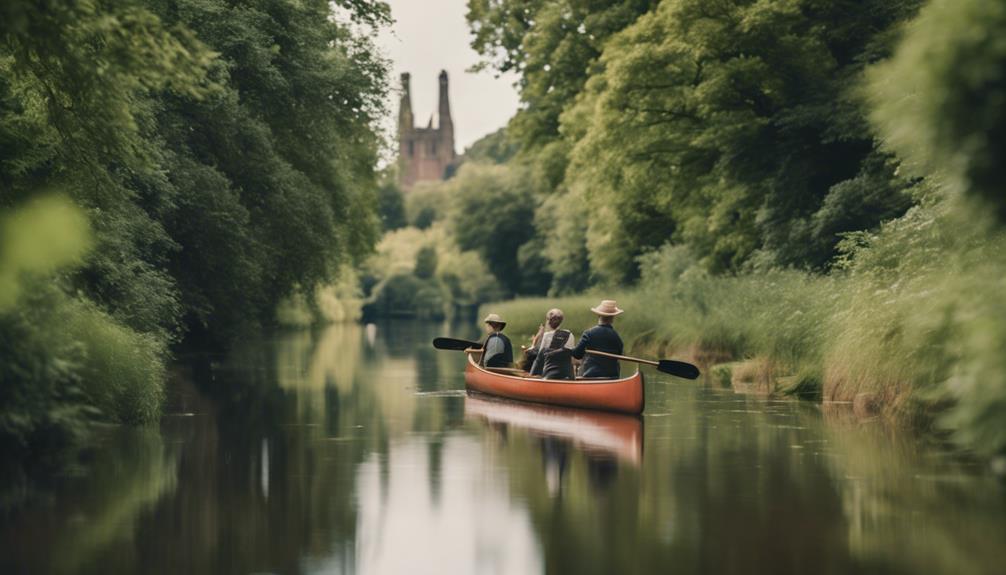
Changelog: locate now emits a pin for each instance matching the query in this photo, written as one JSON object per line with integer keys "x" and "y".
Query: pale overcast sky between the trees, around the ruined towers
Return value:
{"x": 431, "y": 36}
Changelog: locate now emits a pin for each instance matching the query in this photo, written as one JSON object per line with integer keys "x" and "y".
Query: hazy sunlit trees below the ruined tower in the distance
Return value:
{"x": 449, "y": 246}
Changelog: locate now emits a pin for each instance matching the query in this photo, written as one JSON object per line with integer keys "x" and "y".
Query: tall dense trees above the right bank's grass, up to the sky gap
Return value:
{"x": 730, "y": 127}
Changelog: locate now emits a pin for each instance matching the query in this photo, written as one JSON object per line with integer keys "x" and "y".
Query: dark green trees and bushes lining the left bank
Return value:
{"x": 170, "y": 170}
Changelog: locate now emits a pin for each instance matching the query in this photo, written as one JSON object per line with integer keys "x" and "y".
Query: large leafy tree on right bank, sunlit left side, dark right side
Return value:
{"x": 731, "y": 129}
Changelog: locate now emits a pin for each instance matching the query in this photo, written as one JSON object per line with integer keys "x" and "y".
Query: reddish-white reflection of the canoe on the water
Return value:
{"x": 599, "y": 435}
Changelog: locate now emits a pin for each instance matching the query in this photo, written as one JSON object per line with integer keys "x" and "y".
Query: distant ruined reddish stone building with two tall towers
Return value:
{"x": 425, "y": 153}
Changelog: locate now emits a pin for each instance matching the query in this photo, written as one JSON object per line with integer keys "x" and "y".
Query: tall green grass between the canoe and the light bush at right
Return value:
{"x": 782, "y": 315}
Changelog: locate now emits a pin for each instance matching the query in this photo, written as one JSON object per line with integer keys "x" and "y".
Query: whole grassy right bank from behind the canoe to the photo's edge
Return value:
{"x": 908, "y": 326}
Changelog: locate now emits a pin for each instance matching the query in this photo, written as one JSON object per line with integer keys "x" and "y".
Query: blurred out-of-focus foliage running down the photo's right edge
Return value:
{"x": 949, "y": 81}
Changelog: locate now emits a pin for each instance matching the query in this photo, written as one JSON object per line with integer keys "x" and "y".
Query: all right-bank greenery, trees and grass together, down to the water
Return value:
{"x": 816, "y": 183}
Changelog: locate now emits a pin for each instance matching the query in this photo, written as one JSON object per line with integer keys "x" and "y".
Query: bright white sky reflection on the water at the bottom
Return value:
{"x": 468, "y": 525}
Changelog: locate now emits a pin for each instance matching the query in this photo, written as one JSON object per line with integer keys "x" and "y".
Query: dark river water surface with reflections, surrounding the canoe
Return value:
{"x": 357, "y": 451}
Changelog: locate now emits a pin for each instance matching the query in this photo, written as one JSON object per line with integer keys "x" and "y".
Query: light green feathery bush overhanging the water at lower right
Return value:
{"x": 927, "y": 325}
